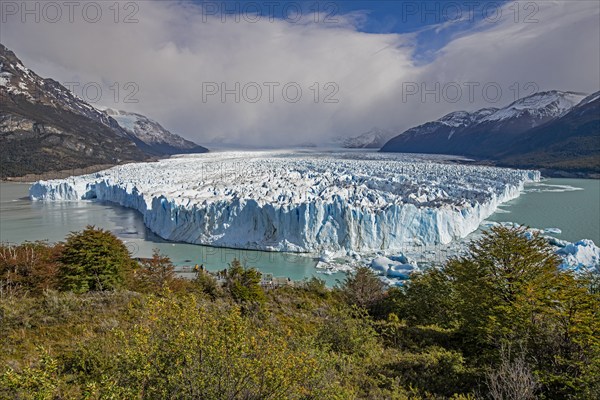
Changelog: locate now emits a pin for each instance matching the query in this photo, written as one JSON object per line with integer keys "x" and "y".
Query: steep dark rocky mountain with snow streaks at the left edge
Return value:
{"x": 44, "y": 127}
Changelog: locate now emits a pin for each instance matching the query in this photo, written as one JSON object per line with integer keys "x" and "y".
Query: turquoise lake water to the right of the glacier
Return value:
{"x": 572, "y": 205}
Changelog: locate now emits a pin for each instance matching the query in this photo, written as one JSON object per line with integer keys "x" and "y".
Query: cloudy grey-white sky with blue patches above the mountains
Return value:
{"x": 284, "y": 73}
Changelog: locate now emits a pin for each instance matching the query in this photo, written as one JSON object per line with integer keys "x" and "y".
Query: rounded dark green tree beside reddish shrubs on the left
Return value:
{"x": 93, "y": 259}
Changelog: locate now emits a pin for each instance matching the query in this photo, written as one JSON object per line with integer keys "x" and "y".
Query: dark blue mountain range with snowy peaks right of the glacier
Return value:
{"x": 538, "y": 124}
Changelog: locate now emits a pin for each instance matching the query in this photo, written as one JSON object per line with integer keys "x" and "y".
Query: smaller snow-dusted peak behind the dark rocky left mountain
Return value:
{"x": 151, "y": 136}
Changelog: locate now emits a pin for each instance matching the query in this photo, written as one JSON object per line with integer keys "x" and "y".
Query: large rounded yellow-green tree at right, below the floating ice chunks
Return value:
{"x": 504, "y": 281}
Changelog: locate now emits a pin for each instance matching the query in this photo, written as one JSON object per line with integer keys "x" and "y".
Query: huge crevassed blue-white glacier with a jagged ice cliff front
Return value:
{"x": 301, "y": 201}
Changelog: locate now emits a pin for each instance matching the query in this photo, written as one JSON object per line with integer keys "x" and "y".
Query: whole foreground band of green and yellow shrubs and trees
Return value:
{"x": 82, "y": 320}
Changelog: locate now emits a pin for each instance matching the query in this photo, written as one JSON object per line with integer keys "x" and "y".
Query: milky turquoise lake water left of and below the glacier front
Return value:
{"x": 24, "y": 220}
